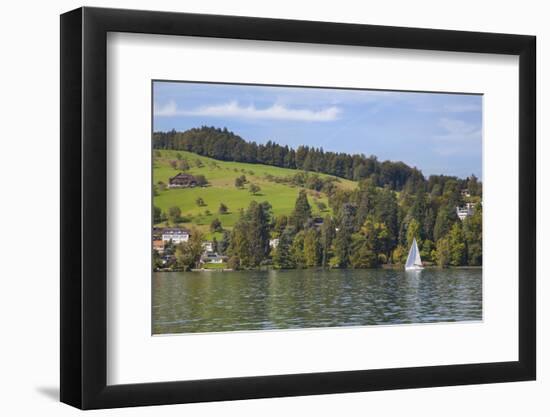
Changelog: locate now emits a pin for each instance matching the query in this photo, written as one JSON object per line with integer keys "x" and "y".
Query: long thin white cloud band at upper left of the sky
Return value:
{"x": 234, "y": 109}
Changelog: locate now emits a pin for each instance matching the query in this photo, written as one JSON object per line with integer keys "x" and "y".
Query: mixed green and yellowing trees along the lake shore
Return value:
{"x": 370, "y": 226}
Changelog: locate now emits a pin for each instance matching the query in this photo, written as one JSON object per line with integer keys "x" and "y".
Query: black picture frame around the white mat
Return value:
{"x": 84, "y": 207}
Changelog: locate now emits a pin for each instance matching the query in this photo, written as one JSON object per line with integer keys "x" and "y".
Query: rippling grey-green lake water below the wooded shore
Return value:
{"x": 190, "y": 302}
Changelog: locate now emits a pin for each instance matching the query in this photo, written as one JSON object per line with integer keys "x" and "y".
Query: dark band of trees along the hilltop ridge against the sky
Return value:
{"x": 224, "y": 145}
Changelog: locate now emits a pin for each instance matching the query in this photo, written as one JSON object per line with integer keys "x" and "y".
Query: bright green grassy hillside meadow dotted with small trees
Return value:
{"x": 221, "y": 177}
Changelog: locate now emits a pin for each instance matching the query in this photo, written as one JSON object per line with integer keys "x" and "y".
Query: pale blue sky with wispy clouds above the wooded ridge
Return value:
{"x": 437, "y": 133}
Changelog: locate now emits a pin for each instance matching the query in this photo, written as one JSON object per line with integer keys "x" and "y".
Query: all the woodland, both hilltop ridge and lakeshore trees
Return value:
{"x": 368, "y": 226}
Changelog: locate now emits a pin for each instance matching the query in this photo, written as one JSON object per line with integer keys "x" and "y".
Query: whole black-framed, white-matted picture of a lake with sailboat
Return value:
{"x": 258, "y": 208}
